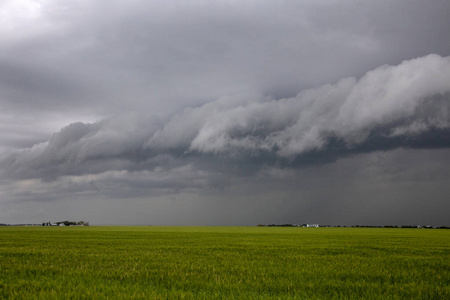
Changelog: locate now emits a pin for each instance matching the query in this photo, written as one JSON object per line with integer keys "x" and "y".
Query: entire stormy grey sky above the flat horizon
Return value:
{"x": 225, "y": 113}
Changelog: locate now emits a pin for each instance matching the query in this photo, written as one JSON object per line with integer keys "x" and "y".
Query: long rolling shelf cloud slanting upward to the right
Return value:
{"x": 407, "y": 105}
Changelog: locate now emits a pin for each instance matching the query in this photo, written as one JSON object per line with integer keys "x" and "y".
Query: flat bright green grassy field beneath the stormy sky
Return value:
{"x": 223, "y": 263}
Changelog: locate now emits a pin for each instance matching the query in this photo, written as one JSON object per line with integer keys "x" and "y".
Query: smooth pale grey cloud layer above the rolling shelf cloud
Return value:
{"x": 160, "y": 56}
